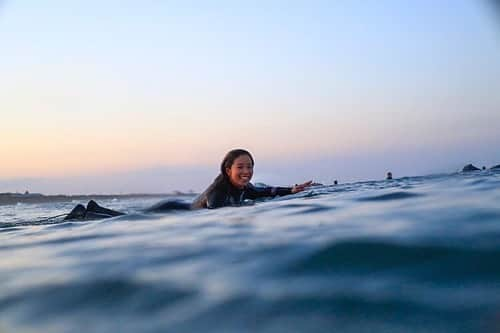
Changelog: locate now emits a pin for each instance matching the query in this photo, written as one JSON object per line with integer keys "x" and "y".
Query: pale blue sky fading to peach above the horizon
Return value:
{"x": 128, "y": 96}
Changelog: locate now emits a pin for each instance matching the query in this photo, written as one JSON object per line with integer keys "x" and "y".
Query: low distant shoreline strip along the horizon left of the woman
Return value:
{"x": 15, "y": 198}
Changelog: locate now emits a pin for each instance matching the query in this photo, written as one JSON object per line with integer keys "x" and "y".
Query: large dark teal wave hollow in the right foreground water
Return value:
{"x": 437, "y": 263}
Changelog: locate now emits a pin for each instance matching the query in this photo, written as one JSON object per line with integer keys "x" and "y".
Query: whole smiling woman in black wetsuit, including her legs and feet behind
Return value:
{"x": 231, "y": 188}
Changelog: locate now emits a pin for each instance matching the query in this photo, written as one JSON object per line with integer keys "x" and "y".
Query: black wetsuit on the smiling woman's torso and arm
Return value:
{"x": 222, "y": 193}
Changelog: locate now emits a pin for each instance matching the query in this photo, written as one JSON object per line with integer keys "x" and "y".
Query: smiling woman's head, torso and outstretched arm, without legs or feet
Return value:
{"x": 232, "y": 186}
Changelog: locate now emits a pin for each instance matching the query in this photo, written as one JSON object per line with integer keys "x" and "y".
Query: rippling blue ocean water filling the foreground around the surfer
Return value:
{"x": 418, "y": 254}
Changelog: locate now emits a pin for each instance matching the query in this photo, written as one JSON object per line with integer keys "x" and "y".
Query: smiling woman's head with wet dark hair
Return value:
{"x": 237, "y": 167}
